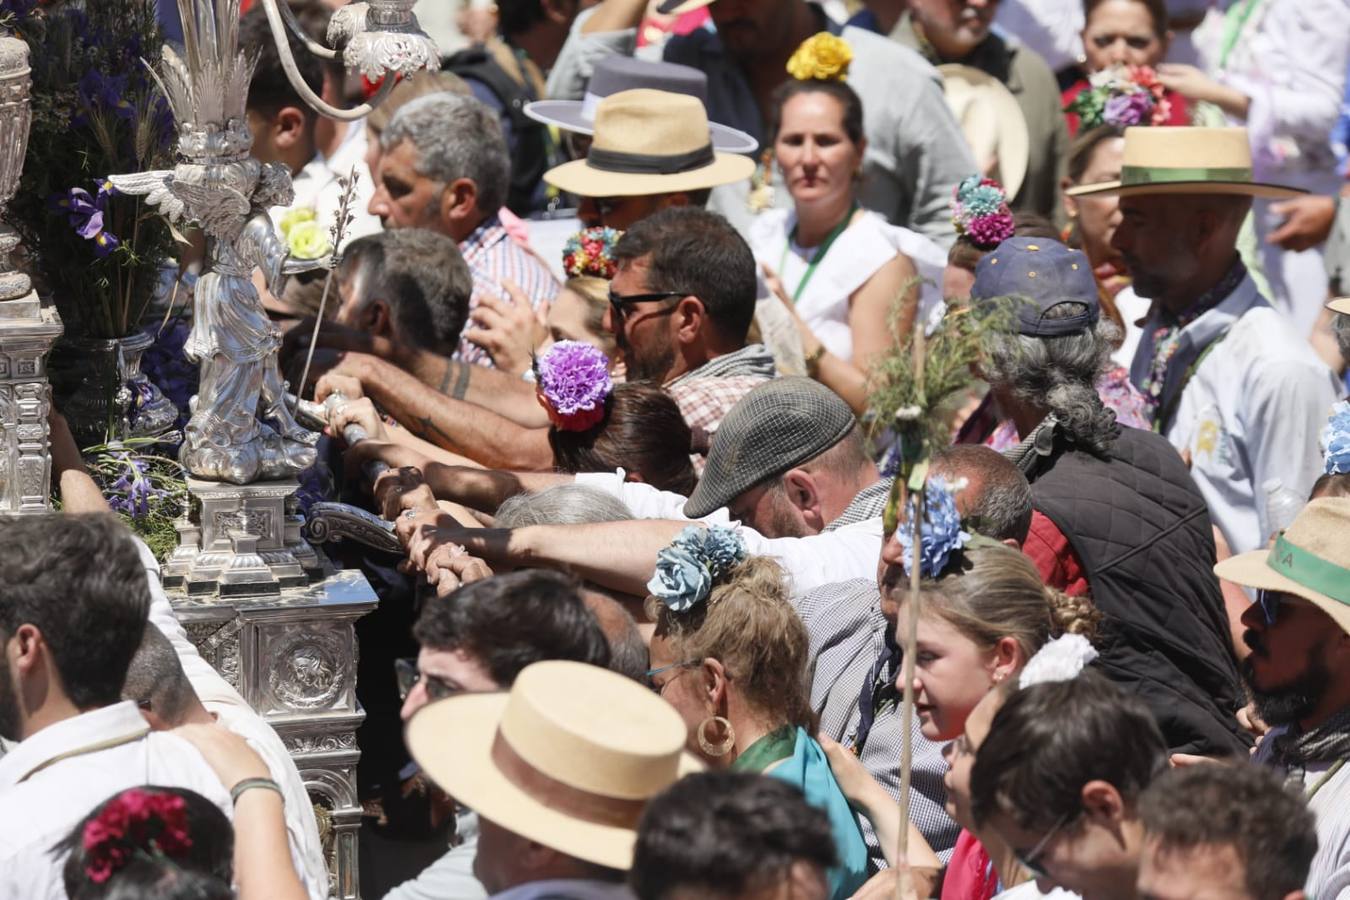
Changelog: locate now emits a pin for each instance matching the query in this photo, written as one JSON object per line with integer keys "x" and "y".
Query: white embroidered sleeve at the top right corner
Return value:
{"x": 1299, "y": 91}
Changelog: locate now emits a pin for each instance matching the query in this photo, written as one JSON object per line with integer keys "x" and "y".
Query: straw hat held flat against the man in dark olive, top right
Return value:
{"x": 992, "y": 122}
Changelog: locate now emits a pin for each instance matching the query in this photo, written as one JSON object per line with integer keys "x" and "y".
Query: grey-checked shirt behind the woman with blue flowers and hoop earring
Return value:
{"x": 847, "y": 640}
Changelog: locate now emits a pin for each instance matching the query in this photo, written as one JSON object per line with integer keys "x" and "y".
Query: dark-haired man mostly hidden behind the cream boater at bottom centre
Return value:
{"x": 477, "y": 640}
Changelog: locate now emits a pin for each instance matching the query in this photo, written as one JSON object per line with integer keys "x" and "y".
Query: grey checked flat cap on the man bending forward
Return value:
{"x": 781, "y": 424}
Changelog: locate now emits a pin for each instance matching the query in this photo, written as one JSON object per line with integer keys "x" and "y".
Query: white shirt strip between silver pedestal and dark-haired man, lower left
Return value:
{"x": 232, "y": 712}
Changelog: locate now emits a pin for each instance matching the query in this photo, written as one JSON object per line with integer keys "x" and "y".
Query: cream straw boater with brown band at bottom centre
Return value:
{"x": 568, "y": 759}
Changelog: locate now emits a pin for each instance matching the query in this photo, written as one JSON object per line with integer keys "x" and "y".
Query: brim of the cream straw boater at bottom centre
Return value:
{"x": 453, "y": 743}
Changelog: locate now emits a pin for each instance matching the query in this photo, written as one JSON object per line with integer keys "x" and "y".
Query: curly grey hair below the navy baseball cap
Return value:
{"x": 1059, "y": 374}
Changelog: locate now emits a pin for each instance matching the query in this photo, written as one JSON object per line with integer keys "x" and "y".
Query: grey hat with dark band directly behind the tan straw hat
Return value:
{"x": 615, "y": 75}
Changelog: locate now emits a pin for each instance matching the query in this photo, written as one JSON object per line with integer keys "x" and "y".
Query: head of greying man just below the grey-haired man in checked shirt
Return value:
{"x": 410, "y": 287}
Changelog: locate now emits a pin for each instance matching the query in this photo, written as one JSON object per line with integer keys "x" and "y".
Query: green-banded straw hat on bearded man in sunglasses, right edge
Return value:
{"x": 1310, "y": 561}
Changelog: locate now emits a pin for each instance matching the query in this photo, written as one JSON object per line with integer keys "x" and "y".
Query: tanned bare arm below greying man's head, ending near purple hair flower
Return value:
{"x": 457, "y": 426}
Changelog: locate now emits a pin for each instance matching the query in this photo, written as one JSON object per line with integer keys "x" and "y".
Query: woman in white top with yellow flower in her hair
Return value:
{"x": 839, "y": 269}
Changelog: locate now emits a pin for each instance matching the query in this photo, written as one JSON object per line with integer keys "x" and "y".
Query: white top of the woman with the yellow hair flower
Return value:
{"x": 861, "y": 252}
